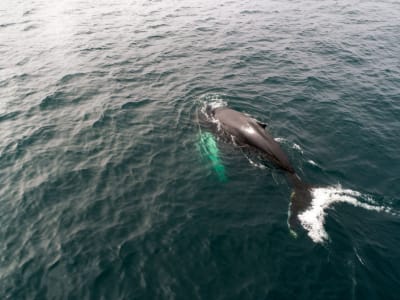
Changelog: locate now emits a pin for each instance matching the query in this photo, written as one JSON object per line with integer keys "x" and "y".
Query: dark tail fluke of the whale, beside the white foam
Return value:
{"x": 300, "y": 200}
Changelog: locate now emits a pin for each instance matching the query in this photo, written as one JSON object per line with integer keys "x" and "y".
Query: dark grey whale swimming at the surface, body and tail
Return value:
{"x": 242, "y": 130}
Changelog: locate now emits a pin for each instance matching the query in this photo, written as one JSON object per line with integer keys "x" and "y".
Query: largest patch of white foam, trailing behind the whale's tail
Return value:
{"x": 313, "y": 219}
